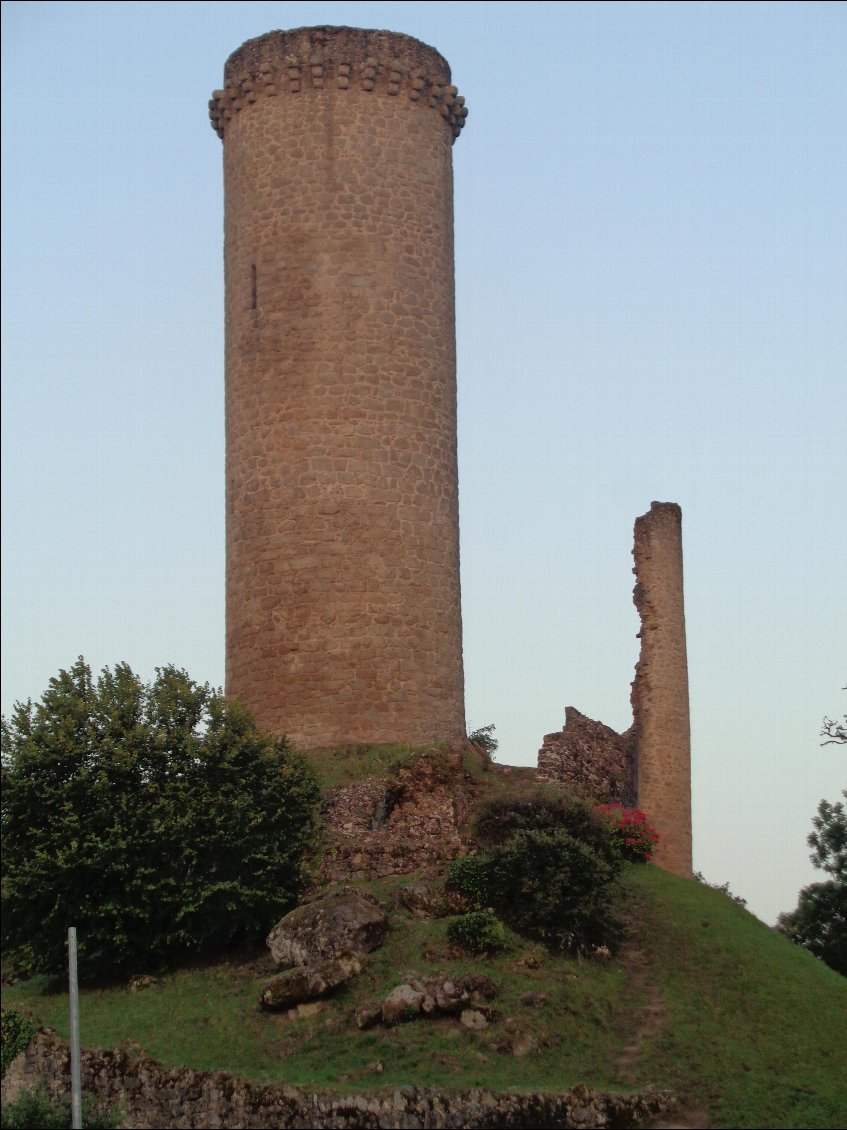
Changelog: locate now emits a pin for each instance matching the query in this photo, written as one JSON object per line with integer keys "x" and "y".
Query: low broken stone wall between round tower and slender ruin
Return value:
{"x": 591, "y": 759}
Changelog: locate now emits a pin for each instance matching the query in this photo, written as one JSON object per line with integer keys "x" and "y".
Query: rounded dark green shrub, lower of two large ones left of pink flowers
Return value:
{"x": 557, "y": 889}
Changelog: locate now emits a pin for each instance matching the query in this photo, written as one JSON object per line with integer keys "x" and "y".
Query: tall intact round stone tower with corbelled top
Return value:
{"x": 344, "y": 620}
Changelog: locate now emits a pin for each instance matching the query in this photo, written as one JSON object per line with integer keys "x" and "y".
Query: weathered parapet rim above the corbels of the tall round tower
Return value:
{"x": 331, "y": 45}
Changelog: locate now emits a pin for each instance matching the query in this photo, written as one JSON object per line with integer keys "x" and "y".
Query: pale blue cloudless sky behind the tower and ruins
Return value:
{"x": 652, "y": 305}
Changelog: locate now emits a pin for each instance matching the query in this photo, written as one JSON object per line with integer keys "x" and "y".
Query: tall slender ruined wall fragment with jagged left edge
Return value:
{"x": 661, "y": 729}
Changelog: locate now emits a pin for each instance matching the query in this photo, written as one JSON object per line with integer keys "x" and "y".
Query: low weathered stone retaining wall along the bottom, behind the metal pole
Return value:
{"x": 152, "y": 1097}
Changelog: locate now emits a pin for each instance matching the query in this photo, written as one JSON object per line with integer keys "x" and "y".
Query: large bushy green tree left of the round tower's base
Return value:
{"x": 156, "y": 819}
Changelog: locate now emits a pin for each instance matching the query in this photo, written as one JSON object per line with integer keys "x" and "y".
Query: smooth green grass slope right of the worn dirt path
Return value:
{"x": 757, "y": 1029}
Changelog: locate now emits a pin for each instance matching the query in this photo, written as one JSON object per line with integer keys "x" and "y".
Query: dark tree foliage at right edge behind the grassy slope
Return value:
{"x": 819, "y": 924}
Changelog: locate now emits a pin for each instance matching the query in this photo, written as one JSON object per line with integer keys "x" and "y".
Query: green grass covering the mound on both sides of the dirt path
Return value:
{"x": 754, "y": 1027}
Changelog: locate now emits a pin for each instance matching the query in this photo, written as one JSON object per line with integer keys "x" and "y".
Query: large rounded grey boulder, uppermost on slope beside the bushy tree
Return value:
{"x": 347, "y": 922}
